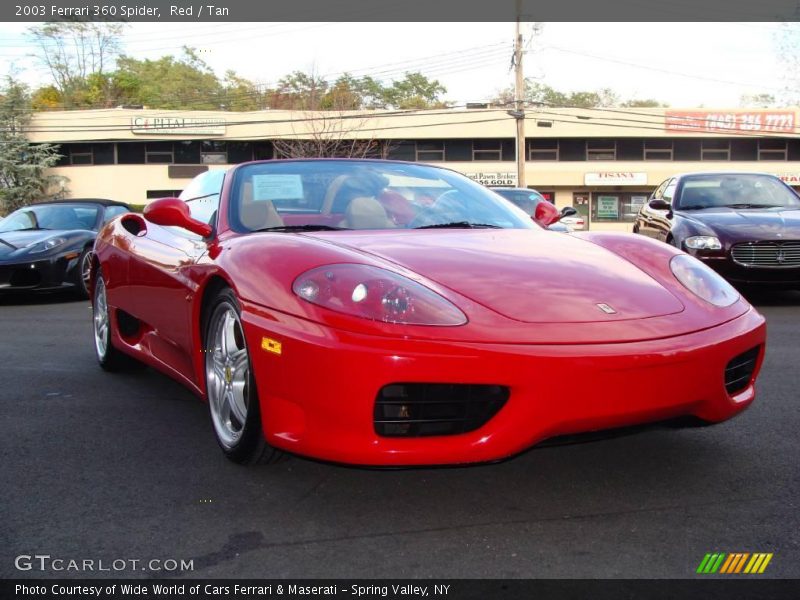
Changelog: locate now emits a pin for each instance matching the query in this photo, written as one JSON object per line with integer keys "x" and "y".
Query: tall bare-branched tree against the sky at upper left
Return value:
{"x": 75, "y": 51}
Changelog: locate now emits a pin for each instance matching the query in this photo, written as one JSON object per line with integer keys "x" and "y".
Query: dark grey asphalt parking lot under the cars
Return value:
{"x": 125, "y": 466}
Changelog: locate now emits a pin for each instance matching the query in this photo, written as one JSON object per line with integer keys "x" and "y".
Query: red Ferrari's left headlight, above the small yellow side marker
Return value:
{"x": 374, "y": 293}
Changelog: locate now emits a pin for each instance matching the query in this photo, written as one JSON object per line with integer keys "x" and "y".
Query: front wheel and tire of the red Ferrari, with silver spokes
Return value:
{"x": 242, "y": 443}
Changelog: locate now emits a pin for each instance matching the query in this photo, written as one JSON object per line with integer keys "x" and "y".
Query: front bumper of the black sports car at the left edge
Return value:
{"x": 52, "y": 273}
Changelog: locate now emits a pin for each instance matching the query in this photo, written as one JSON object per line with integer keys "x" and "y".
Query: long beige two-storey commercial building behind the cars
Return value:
{"x": 605, "y": 162}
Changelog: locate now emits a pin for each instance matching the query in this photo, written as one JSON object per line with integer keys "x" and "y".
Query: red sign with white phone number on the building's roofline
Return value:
{"x": 773, "y": 121}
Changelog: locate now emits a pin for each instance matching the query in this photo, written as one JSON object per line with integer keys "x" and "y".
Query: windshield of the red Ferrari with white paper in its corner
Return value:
{"x": 289, "y": 195}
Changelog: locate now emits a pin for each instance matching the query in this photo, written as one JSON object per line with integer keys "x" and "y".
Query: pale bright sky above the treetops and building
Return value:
{"x": 682, "y": 64}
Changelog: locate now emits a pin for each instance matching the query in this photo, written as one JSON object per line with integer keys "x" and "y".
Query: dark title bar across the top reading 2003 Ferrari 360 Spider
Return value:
{"x": 398, "y": 10}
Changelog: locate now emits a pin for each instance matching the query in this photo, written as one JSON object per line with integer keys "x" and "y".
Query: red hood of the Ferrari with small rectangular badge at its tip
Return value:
{"x": 529, "y": 276}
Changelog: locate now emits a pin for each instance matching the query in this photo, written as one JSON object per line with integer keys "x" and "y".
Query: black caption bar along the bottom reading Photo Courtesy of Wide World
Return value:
{"x": 713, "y": 587}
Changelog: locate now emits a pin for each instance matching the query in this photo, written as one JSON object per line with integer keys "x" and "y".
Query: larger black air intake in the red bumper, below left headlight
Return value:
{"x": 425, "y": 409}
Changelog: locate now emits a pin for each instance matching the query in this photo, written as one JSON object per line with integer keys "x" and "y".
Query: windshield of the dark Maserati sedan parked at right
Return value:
{"x": 736, "y": 191}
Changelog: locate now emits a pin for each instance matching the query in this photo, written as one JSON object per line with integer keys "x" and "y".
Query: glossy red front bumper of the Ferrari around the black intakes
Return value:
{"x": 318, "y": 393}
